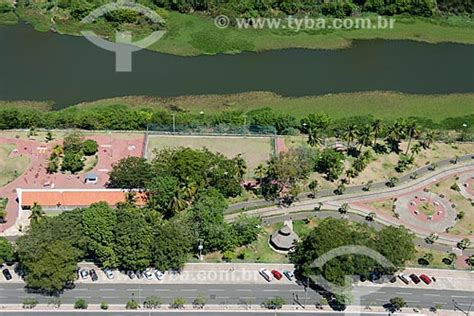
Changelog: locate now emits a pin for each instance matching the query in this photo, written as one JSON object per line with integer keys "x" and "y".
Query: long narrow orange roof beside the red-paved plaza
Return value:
{"x": 57, "y": 197}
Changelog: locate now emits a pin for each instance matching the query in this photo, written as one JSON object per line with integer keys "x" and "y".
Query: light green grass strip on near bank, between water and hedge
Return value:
{"x": 384, "y": 105}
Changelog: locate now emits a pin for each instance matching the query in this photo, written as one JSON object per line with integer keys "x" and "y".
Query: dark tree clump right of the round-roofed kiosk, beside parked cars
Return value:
{"x": 394, "y": 243}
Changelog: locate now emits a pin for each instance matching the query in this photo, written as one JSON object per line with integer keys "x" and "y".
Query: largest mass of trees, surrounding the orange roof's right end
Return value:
{"x": 185, "y": 197}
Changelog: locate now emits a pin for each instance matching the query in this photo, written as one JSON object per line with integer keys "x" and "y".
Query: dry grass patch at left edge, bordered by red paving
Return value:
{"x": 11, "y": 168}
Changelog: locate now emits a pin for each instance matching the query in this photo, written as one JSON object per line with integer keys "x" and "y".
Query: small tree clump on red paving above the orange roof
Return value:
{"x": 70, "y": 156}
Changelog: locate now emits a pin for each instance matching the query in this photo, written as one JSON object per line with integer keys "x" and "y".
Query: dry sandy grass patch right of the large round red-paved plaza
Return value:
{"x": 465, "y": 226}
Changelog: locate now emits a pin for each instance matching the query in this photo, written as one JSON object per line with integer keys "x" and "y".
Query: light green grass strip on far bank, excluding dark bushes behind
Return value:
{"x": 191, "y": 35}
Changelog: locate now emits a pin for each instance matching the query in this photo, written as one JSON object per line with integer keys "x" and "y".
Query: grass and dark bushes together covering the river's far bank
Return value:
{"x": 191, "y": 30}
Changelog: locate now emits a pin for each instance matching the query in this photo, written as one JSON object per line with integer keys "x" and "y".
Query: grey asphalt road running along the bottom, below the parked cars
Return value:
{"x": 224, "y": 294}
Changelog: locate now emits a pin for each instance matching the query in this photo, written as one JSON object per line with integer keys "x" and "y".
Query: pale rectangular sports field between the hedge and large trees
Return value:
{"x": 255, "y": 150}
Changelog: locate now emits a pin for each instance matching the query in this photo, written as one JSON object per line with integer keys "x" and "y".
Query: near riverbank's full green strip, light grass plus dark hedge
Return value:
{"x": 264, "y": 112}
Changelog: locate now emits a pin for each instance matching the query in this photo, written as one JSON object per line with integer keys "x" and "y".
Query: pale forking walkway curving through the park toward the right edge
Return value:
{"x": 357, "y": 198}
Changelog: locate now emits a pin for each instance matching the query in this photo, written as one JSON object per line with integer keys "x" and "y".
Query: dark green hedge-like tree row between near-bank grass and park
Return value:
{"x": 265, "y": 120}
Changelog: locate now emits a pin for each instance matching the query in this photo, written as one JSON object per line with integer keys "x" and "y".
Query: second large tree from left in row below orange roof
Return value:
{"x": 99, "y": 222}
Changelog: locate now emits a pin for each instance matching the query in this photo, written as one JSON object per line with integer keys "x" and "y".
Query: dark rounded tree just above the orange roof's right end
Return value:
{"x": 130, "y": 173}
